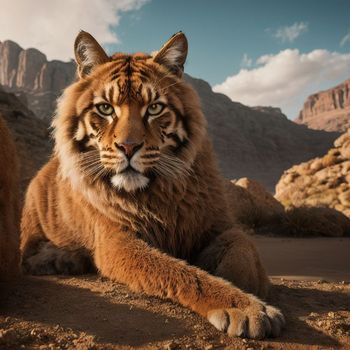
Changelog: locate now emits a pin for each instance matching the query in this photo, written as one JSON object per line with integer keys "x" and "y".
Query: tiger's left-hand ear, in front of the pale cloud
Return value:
{"x": 88, "y": 53}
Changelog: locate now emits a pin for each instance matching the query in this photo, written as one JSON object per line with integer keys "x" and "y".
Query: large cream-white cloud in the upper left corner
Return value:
{"x": 51, "y": 26}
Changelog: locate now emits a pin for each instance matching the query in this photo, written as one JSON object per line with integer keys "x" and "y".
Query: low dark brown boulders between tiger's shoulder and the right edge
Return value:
{"x": 252, "y": 207}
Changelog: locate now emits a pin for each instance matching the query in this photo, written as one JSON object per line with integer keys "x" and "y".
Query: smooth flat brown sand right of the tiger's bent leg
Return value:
{"x": 309, "y": 259}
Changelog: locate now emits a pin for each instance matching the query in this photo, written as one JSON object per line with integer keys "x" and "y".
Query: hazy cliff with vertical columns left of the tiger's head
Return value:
{"x": 29, "y": 72}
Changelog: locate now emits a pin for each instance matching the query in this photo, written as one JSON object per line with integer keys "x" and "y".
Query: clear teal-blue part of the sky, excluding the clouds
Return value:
{"x": 221, "y": 32}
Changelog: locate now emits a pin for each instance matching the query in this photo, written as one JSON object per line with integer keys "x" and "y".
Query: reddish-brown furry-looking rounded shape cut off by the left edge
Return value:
{"x": 9, "y": 205}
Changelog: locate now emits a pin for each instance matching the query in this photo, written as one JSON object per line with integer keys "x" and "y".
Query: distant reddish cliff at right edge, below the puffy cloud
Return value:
{"x": 328, "y": 110}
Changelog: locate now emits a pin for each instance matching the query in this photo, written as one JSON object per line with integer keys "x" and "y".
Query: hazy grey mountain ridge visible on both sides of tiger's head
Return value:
{"x": 259, "y": 143}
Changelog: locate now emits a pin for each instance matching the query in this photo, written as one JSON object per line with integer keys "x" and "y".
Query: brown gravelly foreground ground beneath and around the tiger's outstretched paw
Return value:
{"x": 91, "y": 313}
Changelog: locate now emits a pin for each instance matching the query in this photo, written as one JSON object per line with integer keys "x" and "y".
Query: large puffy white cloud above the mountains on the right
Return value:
{"x": 286, "y": 79}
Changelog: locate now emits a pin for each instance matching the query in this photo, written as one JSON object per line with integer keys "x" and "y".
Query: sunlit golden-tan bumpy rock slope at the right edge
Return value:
{"x": 323, "y": 181}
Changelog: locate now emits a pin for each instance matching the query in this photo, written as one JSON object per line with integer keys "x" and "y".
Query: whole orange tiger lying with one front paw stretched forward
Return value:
{"x": 133, "y": 190}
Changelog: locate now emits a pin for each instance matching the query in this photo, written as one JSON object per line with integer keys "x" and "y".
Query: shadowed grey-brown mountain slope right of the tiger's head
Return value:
{"x": 258, "y": 143}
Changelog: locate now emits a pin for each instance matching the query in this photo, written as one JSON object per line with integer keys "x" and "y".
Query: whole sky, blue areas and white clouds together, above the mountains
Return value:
{"x": 257, "y": 52}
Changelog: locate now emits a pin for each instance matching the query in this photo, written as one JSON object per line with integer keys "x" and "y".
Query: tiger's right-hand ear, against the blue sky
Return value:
{"x": 173, "y": 53}
